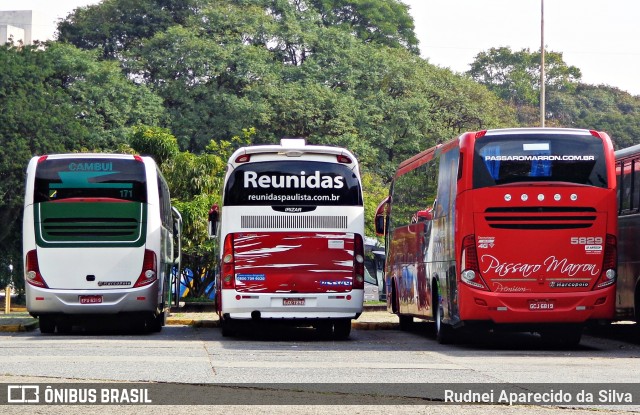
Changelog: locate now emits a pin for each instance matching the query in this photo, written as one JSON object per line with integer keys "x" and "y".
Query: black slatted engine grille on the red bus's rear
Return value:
{"x": 540, "y": 217}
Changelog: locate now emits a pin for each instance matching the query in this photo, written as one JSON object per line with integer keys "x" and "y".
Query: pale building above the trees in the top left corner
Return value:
{"x": 24, "y": 26}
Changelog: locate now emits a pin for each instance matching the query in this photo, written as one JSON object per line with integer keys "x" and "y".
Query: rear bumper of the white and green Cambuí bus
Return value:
{"x": 55, "y": 301}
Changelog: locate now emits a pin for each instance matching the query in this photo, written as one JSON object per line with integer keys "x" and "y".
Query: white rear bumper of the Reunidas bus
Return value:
{"x": 244, "y": 306}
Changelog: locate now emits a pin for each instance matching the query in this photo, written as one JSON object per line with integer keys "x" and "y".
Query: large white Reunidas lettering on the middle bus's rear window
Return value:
{"x": 252, "y": 180}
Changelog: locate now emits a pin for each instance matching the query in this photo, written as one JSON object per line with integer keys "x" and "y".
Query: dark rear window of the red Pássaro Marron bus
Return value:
{"x": 507, "y": 159}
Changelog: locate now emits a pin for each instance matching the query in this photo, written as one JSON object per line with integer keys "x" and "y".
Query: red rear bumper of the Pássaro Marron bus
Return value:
{"x": 501, "y": 308}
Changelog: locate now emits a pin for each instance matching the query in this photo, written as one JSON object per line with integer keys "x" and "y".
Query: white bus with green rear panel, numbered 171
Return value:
{"x": 100, "y": 238}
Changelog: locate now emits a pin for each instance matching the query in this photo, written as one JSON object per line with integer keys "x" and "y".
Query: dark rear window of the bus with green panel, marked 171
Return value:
{"x": 59, "y": 179}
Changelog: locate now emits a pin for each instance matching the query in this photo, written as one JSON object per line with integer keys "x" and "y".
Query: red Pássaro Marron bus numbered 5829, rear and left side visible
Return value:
{"x": 510, "y": 228}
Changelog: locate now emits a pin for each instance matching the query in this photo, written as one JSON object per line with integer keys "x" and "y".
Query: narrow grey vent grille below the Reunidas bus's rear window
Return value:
{"x": 294, "y": 222}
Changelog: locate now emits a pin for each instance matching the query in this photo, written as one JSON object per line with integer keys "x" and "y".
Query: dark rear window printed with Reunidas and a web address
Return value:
{"x": 293, "y": 183}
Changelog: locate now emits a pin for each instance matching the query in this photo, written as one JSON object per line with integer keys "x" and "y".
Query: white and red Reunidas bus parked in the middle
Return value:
{"x": 291, "y": 230}
